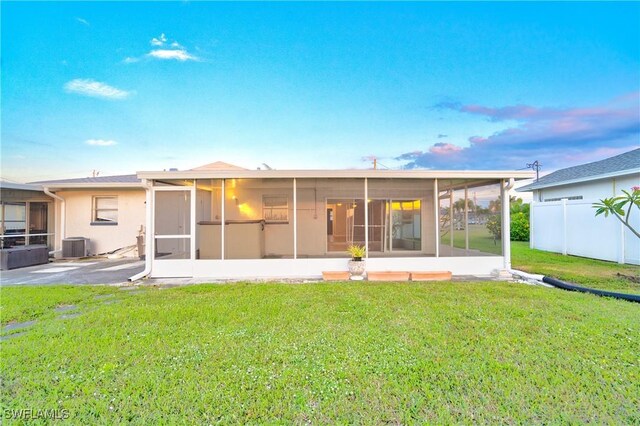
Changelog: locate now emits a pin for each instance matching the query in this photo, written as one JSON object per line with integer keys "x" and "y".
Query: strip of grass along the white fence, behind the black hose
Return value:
{"x": 587, "y": 272}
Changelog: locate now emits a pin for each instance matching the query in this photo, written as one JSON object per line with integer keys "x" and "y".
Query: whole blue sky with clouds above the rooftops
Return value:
{"x": 121, "y": 87}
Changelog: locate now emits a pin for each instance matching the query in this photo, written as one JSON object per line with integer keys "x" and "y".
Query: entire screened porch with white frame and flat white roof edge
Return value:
{"x": 225, "y": 222}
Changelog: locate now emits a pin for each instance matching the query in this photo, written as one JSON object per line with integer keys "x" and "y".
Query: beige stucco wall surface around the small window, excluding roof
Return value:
{"x": 104, "y": 238}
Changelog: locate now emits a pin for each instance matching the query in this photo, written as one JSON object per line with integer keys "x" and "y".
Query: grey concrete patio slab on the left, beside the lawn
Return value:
{"x": 76, "y": 272}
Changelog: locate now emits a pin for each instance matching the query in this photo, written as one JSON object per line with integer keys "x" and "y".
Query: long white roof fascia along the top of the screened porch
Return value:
{"x": 384, "y": 174}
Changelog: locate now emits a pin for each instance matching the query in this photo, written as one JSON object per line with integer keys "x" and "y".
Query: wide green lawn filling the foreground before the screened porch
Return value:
{"x": 328, "y": 353}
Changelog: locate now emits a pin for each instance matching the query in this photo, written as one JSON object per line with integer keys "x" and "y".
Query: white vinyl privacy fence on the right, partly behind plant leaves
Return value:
{"x": 571, "y": 227}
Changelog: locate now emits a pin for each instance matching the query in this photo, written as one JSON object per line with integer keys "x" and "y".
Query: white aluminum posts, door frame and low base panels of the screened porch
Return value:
{"x": 306, "y": 267}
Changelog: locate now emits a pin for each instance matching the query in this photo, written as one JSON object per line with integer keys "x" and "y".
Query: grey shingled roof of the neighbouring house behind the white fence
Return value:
{"x": 623, "y": 164}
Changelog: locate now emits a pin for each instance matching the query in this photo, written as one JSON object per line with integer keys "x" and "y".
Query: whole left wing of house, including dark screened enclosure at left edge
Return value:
{"x": 108, "y": 210}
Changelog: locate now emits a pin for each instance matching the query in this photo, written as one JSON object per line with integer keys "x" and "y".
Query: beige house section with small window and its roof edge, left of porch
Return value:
{"x": 109, "y": 210}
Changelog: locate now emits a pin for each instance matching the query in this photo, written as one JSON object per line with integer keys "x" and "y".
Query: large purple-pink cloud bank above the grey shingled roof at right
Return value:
{"x": 558, "y": 137}
